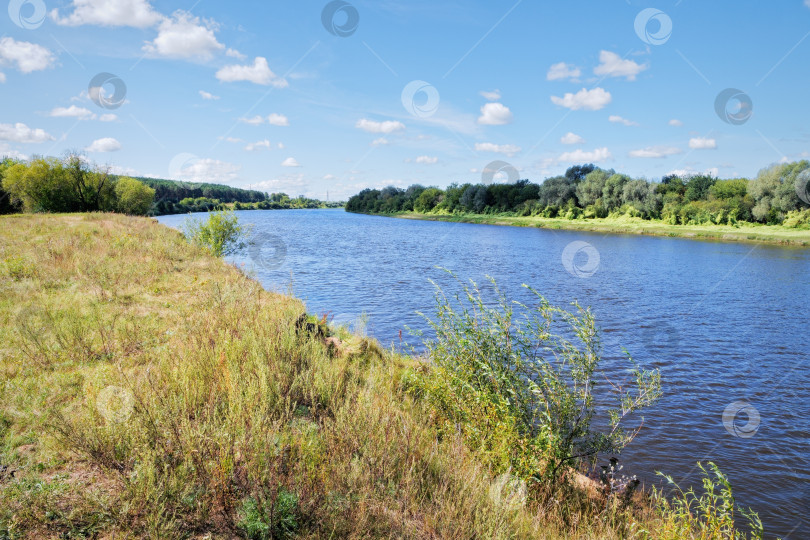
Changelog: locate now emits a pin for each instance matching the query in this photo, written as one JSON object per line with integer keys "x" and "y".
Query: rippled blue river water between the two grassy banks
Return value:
{"x": 726, "y": 323}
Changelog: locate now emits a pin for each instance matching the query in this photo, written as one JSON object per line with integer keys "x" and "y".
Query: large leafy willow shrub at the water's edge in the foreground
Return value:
{"x": 519, "y": 383}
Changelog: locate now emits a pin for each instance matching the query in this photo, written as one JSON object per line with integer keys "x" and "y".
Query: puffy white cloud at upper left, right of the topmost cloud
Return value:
{"x": 184, "y": 36}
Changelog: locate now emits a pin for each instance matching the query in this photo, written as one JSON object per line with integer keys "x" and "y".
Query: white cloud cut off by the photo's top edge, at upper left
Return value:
{"x": 135, "y": 13}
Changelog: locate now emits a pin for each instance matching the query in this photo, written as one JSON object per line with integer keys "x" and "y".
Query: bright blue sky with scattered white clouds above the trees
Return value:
{"x": 281, "y": 96}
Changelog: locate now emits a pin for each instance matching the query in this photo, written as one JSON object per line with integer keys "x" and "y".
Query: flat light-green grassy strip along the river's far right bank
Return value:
{"x": 765, "y": 234}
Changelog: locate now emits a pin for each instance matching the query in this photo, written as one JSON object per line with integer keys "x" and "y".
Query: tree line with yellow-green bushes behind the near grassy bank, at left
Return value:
{"x": 71, "y": 184}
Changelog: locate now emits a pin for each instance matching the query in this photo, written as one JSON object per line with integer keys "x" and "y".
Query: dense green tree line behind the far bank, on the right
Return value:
{"x": 586, "y": 191}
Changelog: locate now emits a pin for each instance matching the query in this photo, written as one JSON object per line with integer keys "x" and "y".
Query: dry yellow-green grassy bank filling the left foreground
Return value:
{"x": 152, "y": 390}
